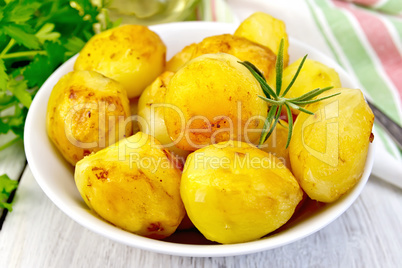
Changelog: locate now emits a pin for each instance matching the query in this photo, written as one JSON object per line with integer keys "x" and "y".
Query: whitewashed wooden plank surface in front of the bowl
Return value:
{"x": 38, "y": 234}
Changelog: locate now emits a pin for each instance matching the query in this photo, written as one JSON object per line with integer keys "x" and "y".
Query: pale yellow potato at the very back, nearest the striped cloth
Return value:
{"x": 265, "y": 30}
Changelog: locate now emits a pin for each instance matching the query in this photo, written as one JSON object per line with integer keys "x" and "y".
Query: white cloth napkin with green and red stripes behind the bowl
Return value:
{"x": 363, "y": 36}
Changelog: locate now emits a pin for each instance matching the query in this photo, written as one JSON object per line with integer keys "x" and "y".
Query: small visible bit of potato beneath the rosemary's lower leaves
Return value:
{"x": 276, "y": 143}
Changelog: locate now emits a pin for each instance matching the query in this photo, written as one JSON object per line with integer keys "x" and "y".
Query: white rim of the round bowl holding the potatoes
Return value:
{"x": 105, "y": 229}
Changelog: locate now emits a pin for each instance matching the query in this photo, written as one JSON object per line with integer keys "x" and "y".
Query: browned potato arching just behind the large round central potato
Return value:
{"x": 245, "y": 50}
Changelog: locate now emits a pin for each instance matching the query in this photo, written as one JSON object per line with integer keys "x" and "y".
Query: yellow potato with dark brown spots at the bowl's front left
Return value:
{"x": 134, "y": 185}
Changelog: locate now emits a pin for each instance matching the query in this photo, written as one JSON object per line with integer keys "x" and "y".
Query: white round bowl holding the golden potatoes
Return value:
{"x": 55, "y": 175}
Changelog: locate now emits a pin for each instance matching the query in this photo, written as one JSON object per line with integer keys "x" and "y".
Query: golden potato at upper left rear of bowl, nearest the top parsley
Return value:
{"x": 130, "y": 54}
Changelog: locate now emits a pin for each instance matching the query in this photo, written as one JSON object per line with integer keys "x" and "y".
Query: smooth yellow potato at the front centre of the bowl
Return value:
{"x": 231, "y": 202}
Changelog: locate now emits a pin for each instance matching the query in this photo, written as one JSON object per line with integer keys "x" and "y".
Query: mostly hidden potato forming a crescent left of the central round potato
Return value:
{"x": 151, "y": 110}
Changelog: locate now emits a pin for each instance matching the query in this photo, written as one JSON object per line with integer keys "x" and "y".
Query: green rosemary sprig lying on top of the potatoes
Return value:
{"x": 277, "y": 101}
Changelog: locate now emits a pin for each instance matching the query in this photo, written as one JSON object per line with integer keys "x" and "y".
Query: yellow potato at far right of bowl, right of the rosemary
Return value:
{"x": 328, "y": 150}
